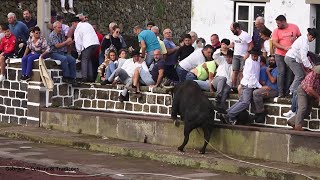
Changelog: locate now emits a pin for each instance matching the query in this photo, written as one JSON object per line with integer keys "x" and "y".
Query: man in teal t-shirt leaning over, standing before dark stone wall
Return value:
{"x": 148, "y": 42}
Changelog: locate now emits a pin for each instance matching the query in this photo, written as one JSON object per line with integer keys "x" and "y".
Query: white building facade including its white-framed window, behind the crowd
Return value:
{"x": 215, "y": 16}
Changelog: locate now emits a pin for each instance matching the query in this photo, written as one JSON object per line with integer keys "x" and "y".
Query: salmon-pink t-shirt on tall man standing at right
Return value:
{"x": 285, "y": 37}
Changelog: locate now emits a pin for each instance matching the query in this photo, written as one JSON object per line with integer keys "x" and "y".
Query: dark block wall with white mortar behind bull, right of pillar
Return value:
{"x": 158, "y": 102}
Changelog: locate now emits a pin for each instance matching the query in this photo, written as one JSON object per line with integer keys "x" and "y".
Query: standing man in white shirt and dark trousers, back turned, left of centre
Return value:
{"x": 87, "y": 42}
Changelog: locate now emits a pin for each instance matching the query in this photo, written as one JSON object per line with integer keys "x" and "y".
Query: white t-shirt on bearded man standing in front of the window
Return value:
{"x": 241, "y": 43}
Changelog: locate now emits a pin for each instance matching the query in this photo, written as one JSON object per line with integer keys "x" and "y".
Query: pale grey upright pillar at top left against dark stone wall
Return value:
{"x": 44, "y": 16}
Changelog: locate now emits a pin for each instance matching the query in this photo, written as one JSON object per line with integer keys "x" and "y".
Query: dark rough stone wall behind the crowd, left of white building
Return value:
{"x": 174, "y": 14}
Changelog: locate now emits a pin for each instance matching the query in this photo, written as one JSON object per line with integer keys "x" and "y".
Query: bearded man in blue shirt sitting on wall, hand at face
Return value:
{"x": 269, "y": 89}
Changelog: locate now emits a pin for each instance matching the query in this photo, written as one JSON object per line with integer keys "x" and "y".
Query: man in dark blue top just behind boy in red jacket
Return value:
{"x": 20, "y": 31}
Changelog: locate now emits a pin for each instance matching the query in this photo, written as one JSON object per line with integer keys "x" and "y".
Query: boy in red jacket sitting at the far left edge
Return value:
{"x": 8, "y": 43}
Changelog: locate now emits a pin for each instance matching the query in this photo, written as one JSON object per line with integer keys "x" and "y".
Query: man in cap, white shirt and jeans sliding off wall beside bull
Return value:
{"x": 249, "y": 82}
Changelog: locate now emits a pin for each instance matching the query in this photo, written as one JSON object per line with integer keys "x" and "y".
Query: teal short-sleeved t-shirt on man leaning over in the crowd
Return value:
{"x": 150, "y": 39}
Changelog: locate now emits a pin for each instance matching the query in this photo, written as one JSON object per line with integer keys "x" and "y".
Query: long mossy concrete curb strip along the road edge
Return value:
{"x": 217, "y": 164}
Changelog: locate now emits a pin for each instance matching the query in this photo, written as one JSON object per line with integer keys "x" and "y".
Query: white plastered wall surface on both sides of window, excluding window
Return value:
{"x": 215, "y": 16}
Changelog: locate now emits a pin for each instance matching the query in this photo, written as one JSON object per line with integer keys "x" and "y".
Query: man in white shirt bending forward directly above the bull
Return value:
{"x": 196, "y": 58}
